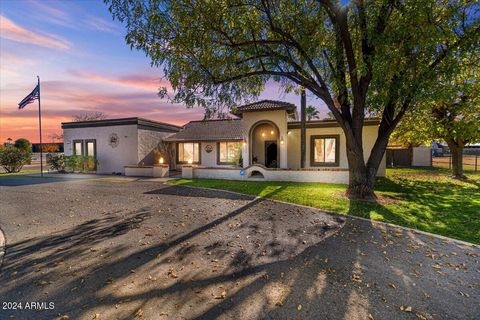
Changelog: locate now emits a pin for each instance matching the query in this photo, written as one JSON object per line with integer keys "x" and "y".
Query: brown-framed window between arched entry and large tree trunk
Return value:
{"x": 324, "y": 150}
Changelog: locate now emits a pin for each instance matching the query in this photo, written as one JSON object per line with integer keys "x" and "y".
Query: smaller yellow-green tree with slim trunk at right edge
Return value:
{"x": 449, "y": 112}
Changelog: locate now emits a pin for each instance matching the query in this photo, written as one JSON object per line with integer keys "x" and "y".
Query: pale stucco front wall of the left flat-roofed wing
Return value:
{"x": 109, "y": 159}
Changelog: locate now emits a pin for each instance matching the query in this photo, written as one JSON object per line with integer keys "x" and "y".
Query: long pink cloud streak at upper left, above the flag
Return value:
{"x": 12, "y": 31}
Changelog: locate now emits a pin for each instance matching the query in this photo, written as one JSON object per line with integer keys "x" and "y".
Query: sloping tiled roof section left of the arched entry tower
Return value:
{"x": 210, "y": 130}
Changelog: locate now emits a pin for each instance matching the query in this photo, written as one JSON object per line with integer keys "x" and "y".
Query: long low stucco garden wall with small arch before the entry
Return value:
{"x": 258, "y": 173}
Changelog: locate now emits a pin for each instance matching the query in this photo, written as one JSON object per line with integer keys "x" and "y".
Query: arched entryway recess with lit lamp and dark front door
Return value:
{"x": 265, "y": 144}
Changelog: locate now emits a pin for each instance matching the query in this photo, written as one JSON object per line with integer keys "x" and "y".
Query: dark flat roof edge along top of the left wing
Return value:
{"x": 140, "y": 122}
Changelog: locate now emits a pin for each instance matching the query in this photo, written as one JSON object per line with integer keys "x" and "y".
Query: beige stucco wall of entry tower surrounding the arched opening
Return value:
{"x": 279, "y": 117}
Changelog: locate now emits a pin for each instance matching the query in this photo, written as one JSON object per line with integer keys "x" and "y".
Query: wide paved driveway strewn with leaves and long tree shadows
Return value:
{"x": 122, "y": 249}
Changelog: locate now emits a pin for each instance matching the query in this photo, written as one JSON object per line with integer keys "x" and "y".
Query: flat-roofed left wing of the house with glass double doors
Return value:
{"x": 116, "y": 143}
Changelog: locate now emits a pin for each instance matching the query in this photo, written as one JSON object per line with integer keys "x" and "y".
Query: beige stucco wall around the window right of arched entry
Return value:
{"x": 369, "y": 137}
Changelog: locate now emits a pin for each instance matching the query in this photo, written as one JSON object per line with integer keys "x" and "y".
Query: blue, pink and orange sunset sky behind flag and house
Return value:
{"x": 84, "y": 64}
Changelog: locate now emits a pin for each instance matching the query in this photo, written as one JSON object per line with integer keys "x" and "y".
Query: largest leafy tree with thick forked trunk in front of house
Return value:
{"x": 369, "y": 57}
